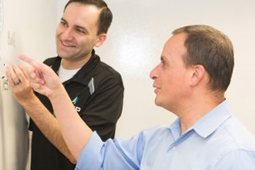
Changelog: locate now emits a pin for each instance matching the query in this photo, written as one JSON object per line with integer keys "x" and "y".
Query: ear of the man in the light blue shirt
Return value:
{"x": 197, "y": 75}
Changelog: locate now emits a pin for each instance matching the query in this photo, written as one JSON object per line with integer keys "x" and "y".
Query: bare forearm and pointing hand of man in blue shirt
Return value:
{"x": 43, "y": 80}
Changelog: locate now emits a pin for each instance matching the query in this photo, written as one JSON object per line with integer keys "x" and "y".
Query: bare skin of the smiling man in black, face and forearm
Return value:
{"x": 76, "y": 36}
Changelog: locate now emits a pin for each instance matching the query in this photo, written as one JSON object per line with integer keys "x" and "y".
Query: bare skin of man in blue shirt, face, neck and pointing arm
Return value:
{"x": 179, "y": 89}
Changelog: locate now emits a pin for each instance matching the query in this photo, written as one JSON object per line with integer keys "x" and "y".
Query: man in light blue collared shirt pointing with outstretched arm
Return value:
{"x": 190, "y": 81}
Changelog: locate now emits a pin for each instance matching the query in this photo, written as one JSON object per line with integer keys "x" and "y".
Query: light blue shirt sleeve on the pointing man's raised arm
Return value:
{"x": 112, "y": 154}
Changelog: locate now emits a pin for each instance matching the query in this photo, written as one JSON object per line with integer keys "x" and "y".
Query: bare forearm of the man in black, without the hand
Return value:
{"x": 48, "y": 125}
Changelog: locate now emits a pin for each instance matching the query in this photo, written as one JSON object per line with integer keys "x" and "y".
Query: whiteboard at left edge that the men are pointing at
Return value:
{"x": 29, "y": 28}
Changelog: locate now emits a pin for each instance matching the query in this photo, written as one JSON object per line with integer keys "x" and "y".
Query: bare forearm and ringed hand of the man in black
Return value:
{"x": 46, "y": 122}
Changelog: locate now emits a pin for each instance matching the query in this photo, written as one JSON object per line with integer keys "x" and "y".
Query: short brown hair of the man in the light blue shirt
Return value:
{"x": 211, "y": 48}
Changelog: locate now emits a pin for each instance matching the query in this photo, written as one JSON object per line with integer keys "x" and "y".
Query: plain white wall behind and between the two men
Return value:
{"x": 134, "y": 44}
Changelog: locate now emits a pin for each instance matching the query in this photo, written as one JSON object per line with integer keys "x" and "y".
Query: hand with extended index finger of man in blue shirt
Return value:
{"x": 42, "y": 78}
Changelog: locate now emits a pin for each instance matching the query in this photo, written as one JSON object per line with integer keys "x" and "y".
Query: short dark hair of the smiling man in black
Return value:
{"x": 105, "y": 17}
